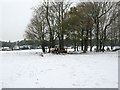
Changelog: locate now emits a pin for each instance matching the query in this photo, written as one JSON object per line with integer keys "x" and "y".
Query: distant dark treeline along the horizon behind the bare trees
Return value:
{"x": 36, "y": 43}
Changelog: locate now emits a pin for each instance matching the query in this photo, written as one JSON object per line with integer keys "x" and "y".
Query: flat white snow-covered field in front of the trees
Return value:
{"x": 27, "y": 69}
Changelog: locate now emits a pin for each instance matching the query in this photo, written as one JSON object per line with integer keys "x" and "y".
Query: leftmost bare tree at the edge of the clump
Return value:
{"x": 36, "y": 30}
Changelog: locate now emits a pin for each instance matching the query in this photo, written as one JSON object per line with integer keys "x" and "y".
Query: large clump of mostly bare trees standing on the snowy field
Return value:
{"x": 86, "y": 24}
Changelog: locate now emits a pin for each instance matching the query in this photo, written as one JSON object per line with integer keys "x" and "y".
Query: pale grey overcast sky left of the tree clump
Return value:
{"x": 14, "y": 17}
